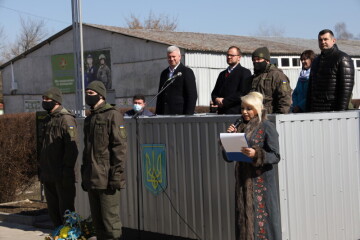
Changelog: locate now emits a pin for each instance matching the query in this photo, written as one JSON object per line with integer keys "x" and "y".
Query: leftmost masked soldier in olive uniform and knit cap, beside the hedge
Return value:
{"x": 58, "y": 156}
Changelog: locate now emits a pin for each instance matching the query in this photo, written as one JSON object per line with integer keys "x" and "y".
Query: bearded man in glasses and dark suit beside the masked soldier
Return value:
{"x": 232, "y": 83}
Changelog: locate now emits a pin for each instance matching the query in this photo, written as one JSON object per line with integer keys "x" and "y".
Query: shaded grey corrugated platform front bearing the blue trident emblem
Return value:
{"x": 200, "y": 183}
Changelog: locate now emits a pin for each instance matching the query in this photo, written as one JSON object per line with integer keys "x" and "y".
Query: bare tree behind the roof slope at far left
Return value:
{"x": 31, "y": 33}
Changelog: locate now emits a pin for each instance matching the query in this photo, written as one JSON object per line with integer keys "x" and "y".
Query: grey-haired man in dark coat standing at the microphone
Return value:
{"x": 180, "y": 97}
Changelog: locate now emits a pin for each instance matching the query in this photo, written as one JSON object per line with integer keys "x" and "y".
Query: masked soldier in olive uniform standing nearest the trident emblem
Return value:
{"x": 103, "y": 161}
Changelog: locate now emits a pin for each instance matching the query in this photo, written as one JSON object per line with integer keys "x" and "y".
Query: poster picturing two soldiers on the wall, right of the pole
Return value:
{"x": 97, "y": 67}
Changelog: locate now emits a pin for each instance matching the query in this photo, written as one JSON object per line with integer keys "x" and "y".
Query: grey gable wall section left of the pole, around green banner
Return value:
{"x": 33, "y": 75}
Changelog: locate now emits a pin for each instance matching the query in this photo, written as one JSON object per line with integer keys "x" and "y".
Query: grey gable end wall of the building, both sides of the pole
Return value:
{"x": 136, "y": 67}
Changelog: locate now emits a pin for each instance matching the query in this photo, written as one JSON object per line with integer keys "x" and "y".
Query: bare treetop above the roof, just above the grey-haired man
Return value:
{"x": 161, "y": 22}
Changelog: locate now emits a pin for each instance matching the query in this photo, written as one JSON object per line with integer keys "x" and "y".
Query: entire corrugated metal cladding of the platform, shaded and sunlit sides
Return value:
{"x": 318, "y": 177}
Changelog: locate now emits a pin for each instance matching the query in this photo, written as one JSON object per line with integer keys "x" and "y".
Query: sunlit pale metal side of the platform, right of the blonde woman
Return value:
{"x": 319, "y": 175}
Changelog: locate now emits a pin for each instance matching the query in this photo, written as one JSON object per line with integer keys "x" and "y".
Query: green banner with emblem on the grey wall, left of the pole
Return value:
{"x": 63, "y": 72}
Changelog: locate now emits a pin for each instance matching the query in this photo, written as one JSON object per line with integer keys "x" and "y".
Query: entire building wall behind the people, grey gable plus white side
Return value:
{"x": 136, "y": 65}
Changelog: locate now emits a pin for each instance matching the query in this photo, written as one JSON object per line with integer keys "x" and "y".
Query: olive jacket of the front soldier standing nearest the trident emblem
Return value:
{"x": 105, "y": 144}
